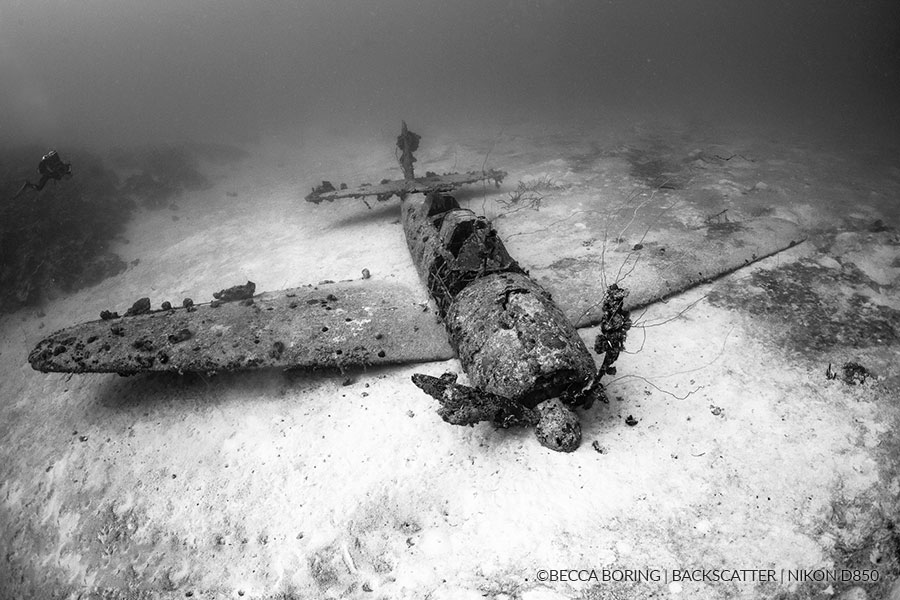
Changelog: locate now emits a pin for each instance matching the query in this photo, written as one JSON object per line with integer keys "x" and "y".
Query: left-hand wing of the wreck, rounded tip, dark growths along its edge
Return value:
{"x": 339, "y": 325}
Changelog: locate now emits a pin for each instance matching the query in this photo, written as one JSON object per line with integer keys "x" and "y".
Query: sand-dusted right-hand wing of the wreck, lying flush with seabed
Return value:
{"x": 652, "y": 265}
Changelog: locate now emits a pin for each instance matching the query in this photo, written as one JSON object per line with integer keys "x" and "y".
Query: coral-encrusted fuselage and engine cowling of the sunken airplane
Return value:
{"x": 511, "y": 338}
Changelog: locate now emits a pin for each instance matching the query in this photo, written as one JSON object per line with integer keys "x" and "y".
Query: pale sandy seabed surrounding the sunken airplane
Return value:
{"x": 327, "y": 485}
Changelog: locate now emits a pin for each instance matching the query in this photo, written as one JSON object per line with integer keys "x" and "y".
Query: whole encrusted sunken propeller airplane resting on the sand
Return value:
{"x": 516, "y": 339}
